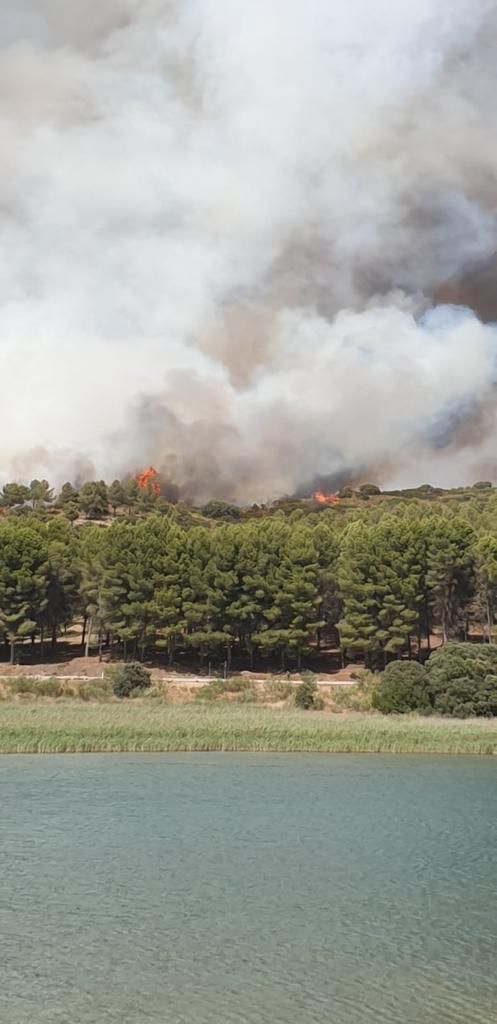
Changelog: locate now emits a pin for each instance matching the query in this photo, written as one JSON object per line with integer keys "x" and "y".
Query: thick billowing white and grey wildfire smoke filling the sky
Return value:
{"x": 223, "y": 228}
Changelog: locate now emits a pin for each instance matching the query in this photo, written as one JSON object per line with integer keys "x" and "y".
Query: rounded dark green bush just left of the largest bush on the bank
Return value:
{"x": 403, "y": 688}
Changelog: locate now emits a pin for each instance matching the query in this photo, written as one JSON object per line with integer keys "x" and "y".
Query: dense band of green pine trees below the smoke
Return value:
{"x": 289, "y": 587}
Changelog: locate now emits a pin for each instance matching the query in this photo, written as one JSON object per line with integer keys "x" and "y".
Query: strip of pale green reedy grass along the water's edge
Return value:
{"x": 27, "y": 729}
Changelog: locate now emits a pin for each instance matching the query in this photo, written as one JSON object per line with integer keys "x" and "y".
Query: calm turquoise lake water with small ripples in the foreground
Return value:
{"x": 211, "y": 889}
